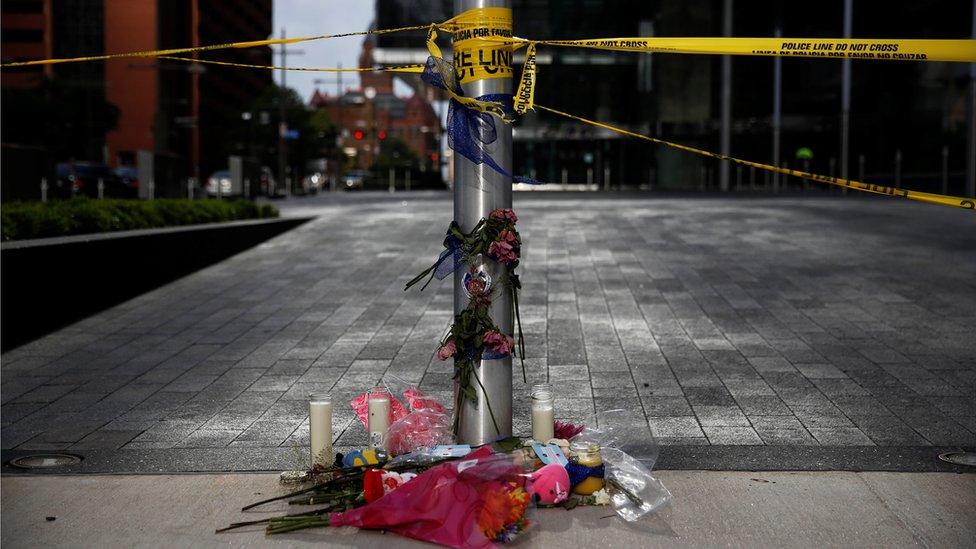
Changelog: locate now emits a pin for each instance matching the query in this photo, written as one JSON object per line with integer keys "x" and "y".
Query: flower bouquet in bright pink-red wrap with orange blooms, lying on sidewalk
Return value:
{"x": 477, "y": 502}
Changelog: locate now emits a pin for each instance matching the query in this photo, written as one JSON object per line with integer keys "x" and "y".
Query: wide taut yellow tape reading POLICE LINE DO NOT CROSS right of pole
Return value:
{"x": 852, "y": 48}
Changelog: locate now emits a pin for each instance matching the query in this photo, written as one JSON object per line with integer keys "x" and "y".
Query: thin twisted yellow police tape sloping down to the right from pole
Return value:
{"x": 959, "y": 202}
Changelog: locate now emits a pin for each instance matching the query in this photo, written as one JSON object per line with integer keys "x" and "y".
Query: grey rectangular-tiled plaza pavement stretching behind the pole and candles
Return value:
{"x": 726, "y": 321}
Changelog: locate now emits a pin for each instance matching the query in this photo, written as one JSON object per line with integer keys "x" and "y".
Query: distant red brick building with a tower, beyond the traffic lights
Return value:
{"x": 410, "y": 119}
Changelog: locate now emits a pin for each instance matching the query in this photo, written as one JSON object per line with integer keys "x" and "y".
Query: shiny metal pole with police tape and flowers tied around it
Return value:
{"x": 478, "y": 190}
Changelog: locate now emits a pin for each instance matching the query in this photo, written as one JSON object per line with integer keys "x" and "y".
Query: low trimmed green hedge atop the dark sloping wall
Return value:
{"x": 23, "y": 220}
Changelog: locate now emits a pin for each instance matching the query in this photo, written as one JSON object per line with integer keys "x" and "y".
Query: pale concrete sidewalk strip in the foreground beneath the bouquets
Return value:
{"x": 712, "y": 509}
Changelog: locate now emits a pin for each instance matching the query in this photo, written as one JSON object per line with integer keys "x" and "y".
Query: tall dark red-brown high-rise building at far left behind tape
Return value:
{"x": 177, "y": 111}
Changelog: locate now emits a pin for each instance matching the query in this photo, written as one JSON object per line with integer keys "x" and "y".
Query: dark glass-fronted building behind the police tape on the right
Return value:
{"x": 907, "y": 119}
